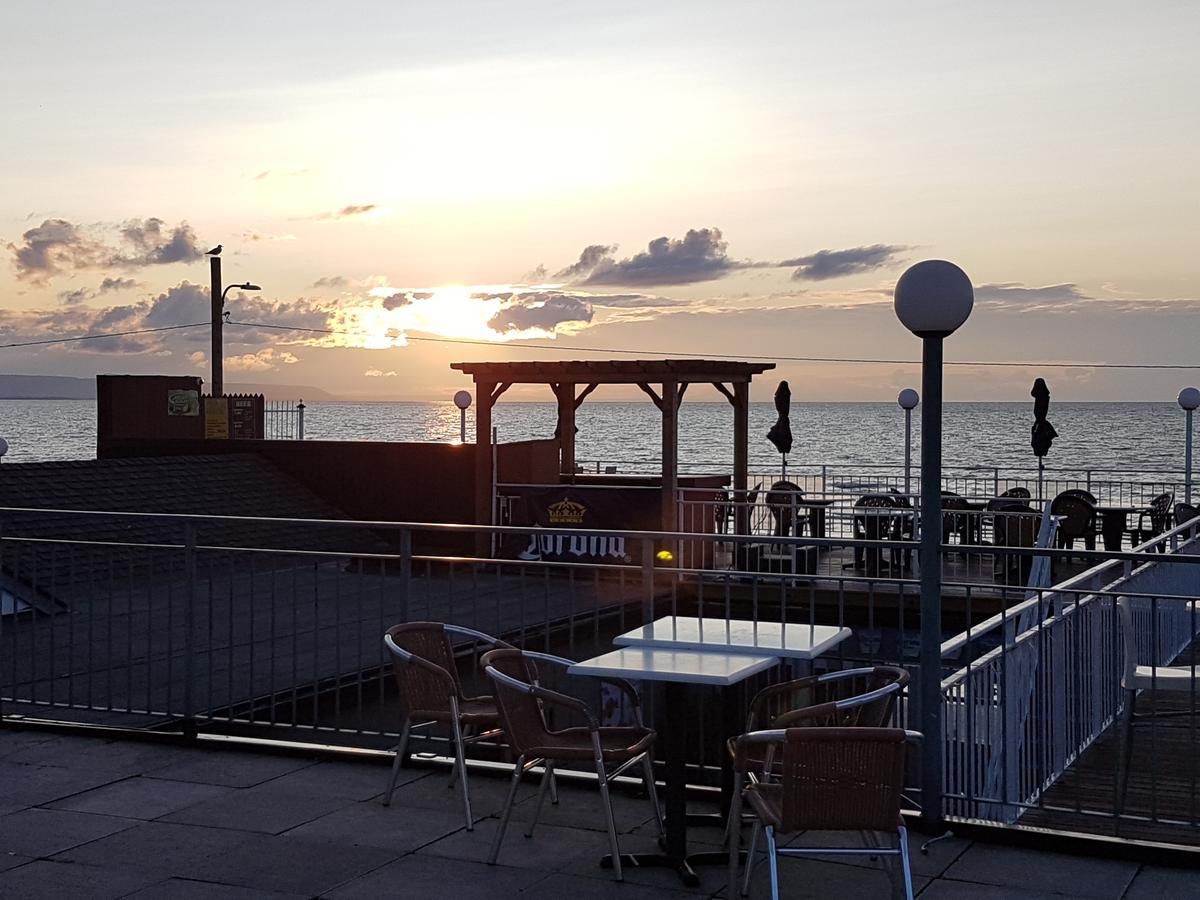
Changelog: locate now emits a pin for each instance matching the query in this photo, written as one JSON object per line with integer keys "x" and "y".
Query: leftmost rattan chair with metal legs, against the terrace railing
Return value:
{"x": 431, "y": 691}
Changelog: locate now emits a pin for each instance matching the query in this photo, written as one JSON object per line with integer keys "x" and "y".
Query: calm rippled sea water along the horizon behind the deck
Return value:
{"x": 1131, "y": 437}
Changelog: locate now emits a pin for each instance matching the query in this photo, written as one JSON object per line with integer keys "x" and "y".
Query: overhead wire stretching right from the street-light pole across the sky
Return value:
{"x": 609, "y": 351}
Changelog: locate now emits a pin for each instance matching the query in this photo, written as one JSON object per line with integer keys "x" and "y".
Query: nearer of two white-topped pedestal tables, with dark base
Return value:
{"x": 677, "y": 669}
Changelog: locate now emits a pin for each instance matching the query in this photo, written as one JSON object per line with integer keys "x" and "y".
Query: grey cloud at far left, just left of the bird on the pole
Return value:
{"x": 59, "y": 247}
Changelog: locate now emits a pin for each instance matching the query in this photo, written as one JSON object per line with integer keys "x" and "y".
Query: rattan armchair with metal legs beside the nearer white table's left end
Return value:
{"x": 524, "y": 705}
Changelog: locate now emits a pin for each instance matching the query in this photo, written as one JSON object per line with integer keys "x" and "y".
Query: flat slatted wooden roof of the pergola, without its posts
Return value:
{"x": 614, "y": 371}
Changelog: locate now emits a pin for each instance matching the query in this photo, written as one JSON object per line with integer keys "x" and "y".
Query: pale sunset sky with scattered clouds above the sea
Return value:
{"x": 669, "y": 179}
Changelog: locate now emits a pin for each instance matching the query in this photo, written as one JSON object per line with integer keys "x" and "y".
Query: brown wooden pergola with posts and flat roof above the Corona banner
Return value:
{"x": 664, "y": 381}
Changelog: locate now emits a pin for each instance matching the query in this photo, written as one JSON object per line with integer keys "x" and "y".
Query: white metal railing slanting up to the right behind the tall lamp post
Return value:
{"x": 1022, "y": 713}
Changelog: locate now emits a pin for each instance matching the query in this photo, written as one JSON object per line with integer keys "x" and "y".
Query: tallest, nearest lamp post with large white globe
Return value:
{"x": 933, "y": 299}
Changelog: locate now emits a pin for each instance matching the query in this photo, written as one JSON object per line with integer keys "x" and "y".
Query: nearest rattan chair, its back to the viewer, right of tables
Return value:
{"x": 831, "y": 781}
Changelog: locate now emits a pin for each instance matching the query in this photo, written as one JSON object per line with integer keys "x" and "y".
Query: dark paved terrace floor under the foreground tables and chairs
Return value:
{"x": 87, "y": 818}
